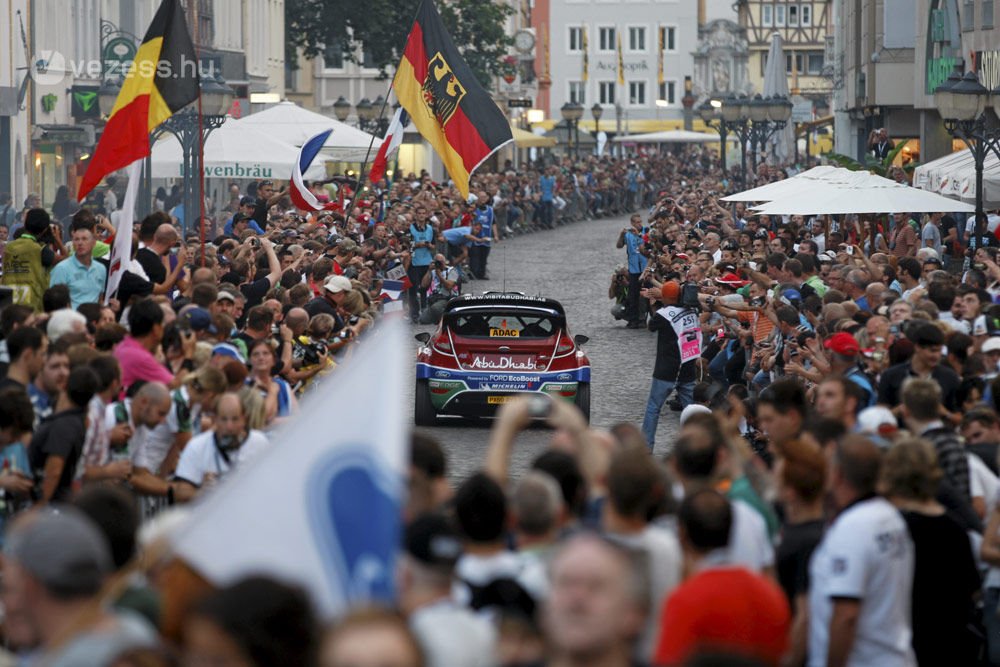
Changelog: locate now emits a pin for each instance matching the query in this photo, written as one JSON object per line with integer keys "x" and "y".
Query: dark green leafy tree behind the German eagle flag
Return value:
{"x": 381, "y": 27}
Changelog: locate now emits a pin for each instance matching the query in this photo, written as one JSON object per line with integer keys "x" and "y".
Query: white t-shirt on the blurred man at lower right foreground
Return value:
{"x": 867, "y": 554}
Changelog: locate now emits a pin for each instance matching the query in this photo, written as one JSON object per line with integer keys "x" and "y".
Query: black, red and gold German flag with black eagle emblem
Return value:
{"x": 446, "y": 102}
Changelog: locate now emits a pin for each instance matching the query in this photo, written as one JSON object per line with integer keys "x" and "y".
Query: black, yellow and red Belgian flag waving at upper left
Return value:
{"x": 163, "y": 79}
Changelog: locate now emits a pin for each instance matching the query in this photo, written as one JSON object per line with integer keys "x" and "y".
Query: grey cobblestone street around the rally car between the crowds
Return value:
{"x": 573, "y": 264}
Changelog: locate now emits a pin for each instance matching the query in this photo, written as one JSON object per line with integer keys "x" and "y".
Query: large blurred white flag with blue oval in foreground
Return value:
{"x": 321, "y": 506}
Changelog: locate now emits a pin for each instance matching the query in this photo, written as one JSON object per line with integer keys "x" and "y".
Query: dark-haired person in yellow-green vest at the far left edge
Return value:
{"x": 28, "y": 258}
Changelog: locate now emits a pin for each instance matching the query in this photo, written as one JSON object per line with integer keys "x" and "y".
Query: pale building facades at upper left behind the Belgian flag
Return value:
{"x": 76, "y": 46}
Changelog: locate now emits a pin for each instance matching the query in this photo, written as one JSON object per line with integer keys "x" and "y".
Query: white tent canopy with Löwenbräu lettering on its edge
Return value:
{"x": 234, "y": 152}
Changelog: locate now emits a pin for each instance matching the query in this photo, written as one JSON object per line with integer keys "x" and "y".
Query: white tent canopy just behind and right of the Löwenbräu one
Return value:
{"x": 290, "y": 123}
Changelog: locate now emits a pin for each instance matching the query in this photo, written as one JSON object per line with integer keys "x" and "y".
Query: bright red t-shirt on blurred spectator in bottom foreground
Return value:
{"x": 728, "y": 609}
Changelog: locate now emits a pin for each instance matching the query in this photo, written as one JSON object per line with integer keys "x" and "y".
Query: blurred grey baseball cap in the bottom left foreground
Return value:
{"x": 63, "y": 549}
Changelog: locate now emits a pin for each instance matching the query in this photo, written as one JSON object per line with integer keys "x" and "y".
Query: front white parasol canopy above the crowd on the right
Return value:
{"x": 867, "y": 193}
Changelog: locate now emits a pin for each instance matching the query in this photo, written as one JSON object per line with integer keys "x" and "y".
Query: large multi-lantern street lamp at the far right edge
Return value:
{"x": 962, "y": 102}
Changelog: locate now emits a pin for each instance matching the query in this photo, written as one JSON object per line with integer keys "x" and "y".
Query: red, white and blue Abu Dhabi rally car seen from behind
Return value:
{"x": 492, "y": 347}
